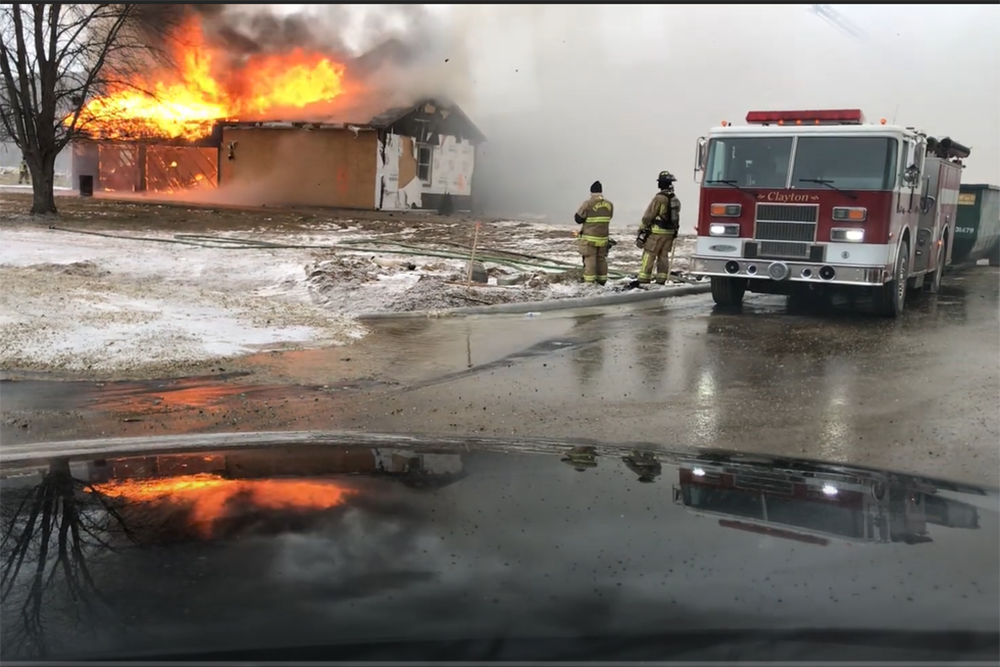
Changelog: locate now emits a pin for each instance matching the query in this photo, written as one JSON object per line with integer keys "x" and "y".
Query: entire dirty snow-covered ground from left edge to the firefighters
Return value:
{"x": 90, "y": 304}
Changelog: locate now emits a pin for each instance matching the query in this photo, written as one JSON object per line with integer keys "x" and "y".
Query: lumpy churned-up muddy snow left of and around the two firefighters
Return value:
{"x": 371, "y": 271}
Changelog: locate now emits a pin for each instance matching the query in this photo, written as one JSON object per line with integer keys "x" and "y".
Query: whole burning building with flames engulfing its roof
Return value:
{"x": 293, "y": 128}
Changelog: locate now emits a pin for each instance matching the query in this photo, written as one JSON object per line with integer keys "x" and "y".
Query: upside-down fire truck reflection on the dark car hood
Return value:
{"x": 816, "y": 505}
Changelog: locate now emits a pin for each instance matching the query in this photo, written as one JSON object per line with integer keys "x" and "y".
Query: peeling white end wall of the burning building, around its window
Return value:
{"x": 452, "y": 165}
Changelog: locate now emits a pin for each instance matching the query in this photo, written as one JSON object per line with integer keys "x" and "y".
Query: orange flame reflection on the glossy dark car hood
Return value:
{"x": 210, "y": 499}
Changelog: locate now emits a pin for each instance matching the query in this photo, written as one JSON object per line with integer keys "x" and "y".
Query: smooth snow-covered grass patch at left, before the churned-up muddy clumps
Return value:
{"x": 88, "y": 304}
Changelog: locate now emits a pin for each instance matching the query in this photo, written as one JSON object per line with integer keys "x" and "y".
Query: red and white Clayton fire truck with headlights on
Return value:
{"x": 806, "y": 203}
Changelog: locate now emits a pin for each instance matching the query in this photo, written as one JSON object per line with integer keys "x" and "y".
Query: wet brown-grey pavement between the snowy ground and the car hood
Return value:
{"x": 918, "y": 394}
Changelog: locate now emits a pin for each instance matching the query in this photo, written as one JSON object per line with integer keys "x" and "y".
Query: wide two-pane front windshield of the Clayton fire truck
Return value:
{"x": 830, "y": 162}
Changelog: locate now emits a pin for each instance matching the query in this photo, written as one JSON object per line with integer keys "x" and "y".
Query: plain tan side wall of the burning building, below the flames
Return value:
{"x": 319, "y": 167}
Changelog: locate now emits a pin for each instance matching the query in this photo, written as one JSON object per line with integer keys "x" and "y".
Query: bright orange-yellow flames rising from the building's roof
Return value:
{"x": 207, "y": 87}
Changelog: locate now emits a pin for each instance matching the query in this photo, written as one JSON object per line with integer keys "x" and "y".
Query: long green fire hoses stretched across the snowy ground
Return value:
{"x": 353, "y": 245}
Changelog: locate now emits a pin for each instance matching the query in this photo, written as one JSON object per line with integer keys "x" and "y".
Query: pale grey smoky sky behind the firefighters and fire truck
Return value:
{"x": 570, "y": 94}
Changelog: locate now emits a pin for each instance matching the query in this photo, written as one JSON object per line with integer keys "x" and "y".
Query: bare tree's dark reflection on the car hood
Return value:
{"x": 51, "y": 536}
